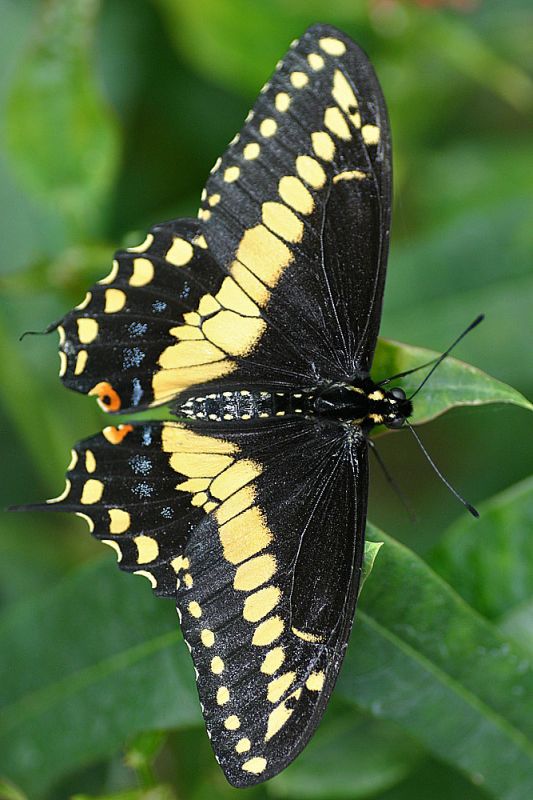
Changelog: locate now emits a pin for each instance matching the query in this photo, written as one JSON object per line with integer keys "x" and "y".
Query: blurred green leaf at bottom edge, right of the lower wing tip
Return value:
{"x": 350, "y": 756}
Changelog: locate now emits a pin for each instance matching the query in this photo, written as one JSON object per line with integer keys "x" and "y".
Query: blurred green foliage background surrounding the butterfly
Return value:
{"x": 112, "y": 113}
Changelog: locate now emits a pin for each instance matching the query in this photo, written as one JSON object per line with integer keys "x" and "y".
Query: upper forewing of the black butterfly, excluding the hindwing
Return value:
{"x": 298, "y": 208}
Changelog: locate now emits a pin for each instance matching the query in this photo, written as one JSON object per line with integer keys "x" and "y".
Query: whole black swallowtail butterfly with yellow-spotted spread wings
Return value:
{"x": 257, "y": 323}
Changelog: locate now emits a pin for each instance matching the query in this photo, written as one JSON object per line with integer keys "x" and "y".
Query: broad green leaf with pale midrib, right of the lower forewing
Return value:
{"x": 420, "y": 657}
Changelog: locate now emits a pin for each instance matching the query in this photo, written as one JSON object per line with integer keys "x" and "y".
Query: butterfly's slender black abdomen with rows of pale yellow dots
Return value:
{"x": 248, "y": 404}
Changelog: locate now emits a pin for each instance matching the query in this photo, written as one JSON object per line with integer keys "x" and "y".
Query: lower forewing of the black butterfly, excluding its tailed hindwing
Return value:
{"x": 274, "y": 575}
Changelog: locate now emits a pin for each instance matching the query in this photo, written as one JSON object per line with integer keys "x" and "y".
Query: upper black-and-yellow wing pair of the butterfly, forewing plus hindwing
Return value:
{"x": 280, "y": 280}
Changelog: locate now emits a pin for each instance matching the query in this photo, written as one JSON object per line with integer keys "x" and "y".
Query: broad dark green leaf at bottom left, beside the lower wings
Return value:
{"x": 109, "y": 666}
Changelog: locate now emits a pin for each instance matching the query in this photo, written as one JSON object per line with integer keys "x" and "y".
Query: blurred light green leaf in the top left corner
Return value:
{"x": 62, "y": 137}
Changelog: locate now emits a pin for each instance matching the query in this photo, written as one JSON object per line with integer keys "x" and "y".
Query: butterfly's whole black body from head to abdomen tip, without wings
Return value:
{"x": 362, "y": 403}
